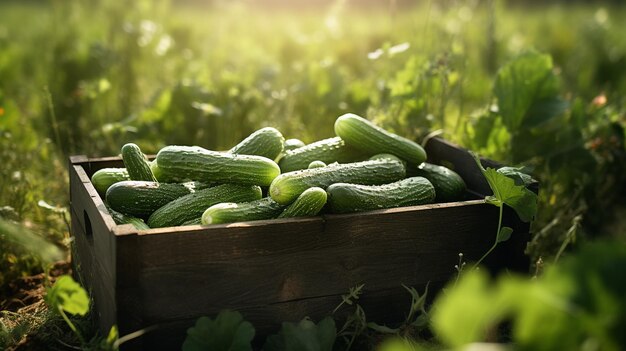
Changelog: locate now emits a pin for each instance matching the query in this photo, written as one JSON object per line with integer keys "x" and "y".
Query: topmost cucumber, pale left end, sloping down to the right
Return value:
{"x": 364, "y": 135}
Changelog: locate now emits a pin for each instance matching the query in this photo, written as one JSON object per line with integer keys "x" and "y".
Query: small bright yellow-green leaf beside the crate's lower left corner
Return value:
{"x": 67, "y": 295}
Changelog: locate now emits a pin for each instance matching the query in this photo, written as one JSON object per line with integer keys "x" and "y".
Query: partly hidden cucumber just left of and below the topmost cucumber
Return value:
{"x": 327, "y": 150}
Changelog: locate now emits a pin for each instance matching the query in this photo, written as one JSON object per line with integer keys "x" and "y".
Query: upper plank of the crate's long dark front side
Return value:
{"x": 264, "y": 267}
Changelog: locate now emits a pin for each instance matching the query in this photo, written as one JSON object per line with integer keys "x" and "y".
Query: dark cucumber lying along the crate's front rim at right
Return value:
{"x": 348, "y": 198}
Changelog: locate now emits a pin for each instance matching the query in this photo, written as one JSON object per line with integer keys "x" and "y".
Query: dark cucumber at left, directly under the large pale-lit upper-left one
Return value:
{"x": 140, "y": 198}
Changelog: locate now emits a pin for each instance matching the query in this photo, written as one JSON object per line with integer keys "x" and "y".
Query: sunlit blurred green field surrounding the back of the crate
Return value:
{"x": 86, "y": 77}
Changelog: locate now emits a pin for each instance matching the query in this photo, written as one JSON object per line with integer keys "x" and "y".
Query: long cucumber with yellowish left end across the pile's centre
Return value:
{"x": 288, "y": 186}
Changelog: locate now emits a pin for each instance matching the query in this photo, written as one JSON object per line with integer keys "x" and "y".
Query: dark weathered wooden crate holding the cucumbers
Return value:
{"x": 279, "y": 270}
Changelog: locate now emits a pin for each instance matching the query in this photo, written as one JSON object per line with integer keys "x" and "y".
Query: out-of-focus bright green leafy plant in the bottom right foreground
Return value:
{"x": 577, "y": 304}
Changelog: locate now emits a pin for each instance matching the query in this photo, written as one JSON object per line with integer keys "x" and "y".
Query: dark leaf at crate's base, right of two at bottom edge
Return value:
{"x": 305, "y": 336}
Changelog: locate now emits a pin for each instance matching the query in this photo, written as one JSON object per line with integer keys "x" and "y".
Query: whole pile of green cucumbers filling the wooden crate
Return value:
{"x": 265, "y": 176}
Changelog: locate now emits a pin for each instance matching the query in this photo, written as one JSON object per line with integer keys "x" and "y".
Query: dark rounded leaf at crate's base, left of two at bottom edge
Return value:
{"x": 227, "y": 332}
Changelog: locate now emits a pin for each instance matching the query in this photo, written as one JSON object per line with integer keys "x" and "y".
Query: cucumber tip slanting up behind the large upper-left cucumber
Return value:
{"x": 267, "y": 142}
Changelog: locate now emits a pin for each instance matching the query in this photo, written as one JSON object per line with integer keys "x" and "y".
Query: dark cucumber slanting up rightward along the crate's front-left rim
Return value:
{"x": 193, "y": 205}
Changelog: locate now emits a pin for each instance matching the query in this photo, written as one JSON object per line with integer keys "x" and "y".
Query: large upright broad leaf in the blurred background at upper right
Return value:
{"x": 521, "y": 84}
